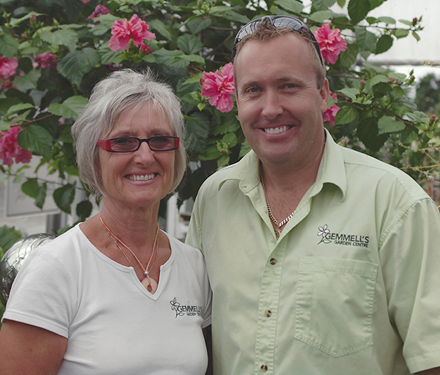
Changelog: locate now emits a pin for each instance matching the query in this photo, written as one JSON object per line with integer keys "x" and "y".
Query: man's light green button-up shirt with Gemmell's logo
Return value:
{"x": 352, "y": 286}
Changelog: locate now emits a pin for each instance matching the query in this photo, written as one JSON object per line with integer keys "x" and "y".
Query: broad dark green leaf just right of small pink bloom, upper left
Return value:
{"x": 74, "y": 65}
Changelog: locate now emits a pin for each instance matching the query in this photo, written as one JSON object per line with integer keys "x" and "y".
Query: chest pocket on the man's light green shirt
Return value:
{"x": 334, "y": 304}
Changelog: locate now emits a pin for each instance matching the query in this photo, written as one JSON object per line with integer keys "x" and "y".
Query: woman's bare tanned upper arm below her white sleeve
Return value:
{"x": 26, "y": 349}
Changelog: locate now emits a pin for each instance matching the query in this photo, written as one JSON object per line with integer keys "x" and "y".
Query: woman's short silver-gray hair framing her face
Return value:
{"x": 121, "y": 91}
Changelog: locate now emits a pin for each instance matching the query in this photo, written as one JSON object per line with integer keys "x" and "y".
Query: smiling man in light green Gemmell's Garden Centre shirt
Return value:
{"x": 322, "y": 260}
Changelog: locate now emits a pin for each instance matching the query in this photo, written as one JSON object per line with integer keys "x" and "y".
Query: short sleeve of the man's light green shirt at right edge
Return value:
{"x": 410, "y": 257}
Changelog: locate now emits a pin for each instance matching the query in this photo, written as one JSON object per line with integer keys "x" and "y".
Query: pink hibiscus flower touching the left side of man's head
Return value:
{"x": 219, "y": 87}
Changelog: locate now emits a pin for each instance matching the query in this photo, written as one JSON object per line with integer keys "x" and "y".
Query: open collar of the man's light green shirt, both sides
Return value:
{"x": 331, "y": 170}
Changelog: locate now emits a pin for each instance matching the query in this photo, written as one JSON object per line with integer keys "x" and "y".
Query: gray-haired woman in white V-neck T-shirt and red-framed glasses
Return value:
{"x": 115, "y": 295}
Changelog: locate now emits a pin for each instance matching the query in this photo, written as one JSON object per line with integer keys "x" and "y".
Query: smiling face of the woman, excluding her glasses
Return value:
{"x": 143, "y": 177}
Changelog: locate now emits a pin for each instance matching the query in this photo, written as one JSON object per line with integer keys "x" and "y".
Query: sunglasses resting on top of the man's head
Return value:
{"x": 280, "y": 22}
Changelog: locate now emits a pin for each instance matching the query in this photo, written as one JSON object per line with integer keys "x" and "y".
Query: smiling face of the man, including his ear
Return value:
{"x": 279, "y": 103}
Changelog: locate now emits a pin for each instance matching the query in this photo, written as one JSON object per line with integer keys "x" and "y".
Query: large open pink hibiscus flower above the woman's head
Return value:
{"x": 124, "y": 31}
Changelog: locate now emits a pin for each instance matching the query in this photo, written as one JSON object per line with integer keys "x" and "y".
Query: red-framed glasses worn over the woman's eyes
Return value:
{"x": 131, "y": 144}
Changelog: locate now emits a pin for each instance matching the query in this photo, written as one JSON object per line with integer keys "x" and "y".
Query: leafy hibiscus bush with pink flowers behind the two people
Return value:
{"x": 52, "y": 52}
